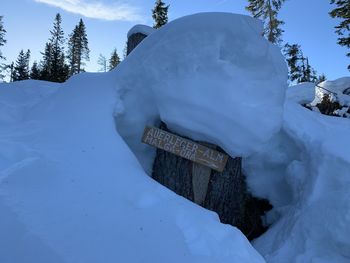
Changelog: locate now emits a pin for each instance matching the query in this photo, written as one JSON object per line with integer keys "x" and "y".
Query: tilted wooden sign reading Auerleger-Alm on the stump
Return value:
{"x": 185, "y": 148}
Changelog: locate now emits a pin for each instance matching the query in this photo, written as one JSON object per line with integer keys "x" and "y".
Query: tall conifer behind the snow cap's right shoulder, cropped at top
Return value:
{"x": 267, "y": 10}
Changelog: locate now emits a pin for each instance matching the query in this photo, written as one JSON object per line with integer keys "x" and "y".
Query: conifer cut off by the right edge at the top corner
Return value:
{"x": 342, "y": 11}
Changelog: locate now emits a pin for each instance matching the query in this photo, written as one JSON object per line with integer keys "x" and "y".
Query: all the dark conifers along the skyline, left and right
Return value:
{"x": 58, "y": 65}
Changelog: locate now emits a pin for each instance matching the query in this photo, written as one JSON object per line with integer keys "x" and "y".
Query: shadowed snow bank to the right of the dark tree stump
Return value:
{"x": 304, "y": 172}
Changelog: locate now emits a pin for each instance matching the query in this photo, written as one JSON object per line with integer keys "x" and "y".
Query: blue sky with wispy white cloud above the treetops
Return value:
{"x": 28, "y": 24}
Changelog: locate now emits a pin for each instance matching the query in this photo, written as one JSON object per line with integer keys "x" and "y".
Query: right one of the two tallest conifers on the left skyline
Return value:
{"x": 78, "y": 49}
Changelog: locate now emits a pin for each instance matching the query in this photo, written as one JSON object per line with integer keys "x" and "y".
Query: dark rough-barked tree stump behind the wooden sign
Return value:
{"x": 225, "y": 193}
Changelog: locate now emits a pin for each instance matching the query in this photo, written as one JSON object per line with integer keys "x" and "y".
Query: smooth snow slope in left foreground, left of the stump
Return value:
{"x": 72, "y": 191}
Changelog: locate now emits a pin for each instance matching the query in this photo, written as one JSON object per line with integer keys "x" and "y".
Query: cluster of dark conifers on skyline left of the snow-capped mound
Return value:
{"x": 61, "y": 58}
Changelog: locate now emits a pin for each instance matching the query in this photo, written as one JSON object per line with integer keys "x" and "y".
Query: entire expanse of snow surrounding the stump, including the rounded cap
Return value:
{"x": 73, "y": 182}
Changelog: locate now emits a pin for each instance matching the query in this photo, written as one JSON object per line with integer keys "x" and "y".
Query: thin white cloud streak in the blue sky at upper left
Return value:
{"x": 97, "y": 9}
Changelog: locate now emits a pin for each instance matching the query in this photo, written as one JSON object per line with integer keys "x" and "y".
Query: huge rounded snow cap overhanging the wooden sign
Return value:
{"x": 211, "y": 77}
